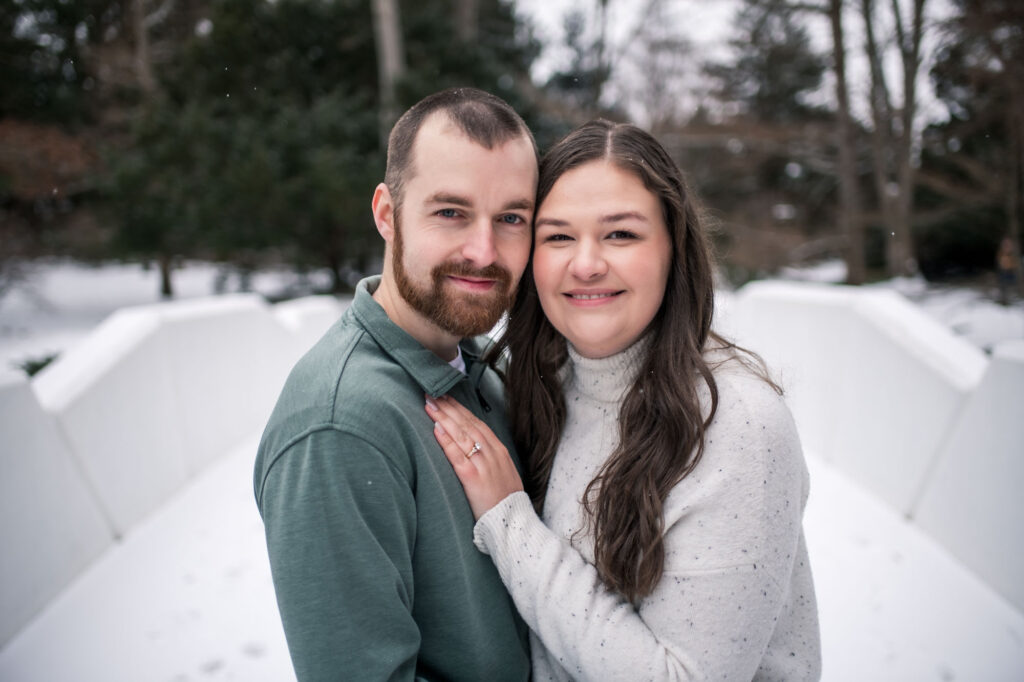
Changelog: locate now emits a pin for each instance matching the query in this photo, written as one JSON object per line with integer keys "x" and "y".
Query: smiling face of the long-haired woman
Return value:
{"x": 602, "y": 258}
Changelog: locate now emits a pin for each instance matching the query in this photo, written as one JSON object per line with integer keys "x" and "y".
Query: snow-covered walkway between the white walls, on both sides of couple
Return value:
{"x": 188, "y": 596}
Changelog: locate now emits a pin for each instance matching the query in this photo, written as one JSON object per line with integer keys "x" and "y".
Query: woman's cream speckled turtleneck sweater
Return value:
{"x": 737, "y": 600}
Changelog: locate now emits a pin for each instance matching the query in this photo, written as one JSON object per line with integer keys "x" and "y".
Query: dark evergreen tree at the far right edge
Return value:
{"x": 971, "y": 178}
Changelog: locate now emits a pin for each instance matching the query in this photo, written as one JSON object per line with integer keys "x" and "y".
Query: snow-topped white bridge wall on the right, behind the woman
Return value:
{"x": 916, "y": 415}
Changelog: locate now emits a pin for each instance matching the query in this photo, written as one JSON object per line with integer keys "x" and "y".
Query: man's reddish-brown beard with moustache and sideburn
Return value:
{"x": 459, "y": 315}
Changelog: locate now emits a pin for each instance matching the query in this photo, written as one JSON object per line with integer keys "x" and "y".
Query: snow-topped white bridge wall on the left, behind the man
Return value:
{"x": 107, "y": 434}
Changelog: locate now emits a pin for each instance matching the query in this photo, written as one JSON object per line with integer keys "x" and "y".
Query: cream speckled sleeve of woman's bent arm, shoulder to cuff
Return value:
{"x": 733, "y": 534}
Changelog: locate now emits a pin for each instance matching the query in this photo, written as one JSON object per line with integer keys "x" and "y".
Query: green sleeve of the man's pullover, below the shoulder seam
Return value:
{"x": 340, "y": 524}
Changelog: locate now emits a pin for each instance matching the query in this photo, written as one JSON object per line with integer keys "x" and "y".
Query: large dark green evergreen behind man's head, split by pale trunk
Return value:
{"x": 264, "y": 142}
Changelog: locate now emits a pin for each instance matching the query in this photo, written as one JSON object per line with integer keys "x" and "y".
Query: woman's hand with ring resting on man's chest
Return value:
{"x": 480, "y": 459}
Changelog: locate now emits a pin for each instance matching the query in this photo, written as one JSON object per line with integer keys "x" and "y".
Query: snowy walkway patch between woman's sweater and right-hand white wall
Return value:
{"x": 893, "y": 605}
